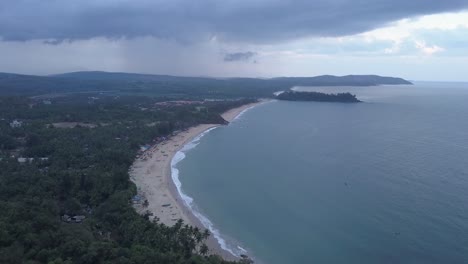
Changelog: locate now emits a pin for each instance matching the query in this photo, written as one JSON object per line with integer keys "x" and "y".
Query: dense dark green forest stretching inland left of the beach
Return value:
{"x": 64, "y": 185}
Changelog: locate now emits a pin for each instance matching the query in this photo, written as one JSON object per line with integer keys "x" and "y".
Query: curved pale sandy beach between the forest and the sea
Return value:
{"x": 152, "y": 173}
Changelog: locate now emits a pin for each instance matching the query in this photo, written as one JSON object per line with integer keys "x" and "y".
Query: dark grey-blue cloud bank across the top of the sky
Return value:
{"x": 188, "y": 20}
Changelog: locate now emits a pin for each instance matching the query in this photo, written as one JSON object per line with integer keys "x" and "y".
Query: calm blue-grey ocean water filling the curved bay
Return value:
{"x": 384, "y": 181}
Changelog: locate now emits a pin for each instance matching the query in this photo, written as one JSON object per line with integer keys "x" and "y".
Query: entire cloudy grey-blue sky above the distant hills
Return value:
{"x": 413, "y": 39}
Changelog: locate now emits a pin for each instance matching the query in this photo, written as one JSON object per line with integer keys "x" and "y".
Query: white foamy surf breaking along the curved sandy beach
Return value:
{"x": 188, "y": 201}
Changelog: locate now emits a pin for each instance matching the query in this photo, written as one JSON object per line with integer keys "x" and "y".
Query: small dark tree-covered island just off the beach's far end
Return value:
{"x": 318, "y": 97}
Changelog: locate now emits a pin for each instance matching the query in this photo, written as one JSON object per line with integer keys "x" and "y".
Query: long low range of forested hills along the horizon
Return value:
{"x": 173, "y": 86}
